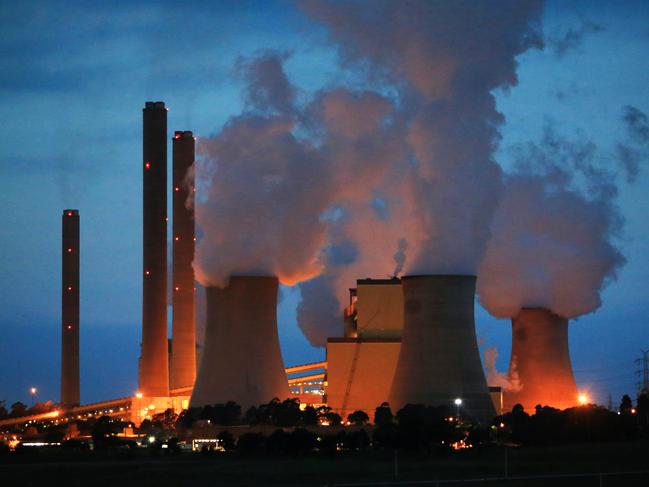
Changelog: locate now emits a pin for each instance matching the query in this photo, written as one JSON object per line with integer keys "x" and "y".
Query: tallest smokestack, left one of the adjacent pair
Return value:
{"x": 154, "y": 372}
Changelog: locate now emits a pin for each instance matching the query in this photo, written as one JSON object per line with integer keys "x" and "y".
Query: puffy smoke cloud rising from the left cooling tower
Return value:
{"x": 264, "y": 190}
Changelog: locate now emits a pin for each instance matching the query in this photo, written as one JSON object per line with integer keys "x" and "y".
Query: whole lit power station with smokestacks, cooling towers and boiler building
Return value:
{"x": 406, "y": 341}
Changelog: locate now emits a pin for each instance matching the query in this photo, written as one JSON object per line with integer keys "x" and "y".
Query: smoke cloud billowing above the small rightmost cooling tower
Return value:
{"x": 554, "y": 234}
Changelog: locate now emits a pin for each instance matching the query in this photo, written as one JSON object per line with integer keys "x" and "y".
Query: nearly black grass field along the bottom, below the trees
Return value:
{"x": 123, "y": 469}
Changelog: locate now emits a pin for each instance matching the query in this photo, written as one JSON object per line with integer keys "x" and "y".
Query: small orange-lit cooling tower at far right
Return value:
{"x": 540, "y": 362}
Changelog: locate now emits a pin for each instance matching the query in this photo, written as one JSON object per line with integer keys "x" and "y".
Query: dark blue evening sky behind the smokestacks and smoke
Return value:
{"x": 74, "y": 77}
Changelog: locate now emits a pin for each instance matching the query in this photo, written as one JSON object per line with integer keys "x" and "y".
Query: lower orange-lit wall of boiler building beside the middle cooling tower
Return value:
{"x": 371, "y": 377}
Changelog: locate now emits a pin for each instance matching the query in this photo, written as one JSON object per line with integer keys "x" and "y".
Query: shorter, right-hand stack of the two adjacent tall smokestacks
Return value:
{"x": 183, "y": 351}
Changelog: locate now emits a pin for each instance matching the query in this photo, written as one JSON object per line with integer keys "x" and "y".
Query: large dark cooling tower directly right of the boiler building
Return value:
{"x": 439, "y": 359}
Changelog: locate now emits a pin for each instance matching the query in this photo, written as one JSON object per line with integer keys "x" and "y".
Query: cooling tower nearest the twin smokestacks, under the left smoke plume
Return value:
{"x": 241, "y": 359}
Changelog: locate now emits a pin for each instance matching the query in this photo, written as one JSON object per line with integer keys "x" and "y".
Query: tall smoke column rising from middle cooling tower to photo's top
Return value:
{"x": 442, "y": 60}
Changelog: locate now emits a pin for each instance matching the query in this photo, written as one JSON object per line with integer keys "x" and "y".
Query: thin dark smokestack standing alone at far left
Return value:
{"x": 70, "y": 395}
